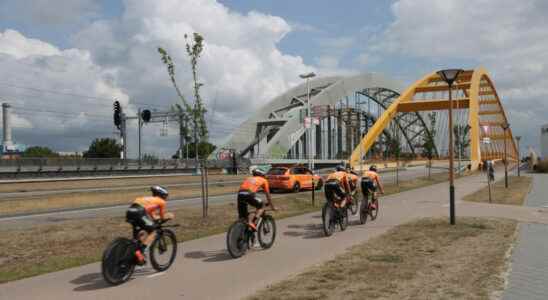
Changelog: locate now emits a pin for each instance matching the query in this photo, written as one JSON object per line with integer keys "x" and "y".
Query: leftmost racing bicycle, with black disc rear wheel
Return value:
{"x": 119, "y": 259}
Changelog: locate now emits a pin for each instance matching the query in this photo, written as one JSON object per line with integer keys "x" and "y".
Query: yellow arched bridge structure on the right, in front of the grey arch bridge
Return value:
{"x": 482, "y": 117}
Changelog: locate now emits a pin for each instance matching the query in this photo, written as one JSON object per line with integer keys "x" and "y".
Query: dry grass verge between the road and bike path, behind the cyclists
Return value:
{"x": 66, "y": 244}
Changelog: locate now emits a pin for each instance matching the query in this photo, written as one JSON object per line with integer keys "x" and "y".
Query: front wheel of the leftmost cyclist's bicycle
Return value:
{"x": 163, "y": 250}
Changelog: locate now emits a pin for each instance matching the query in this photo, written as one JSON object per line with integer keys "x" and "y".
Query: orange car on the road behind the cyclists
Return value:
{"x": 292, "y": 179}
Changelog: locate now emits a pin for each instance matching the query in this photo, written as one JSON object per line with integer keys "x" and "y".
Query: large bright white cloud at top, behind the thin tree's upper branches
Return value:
{"x": 241, "y": 65}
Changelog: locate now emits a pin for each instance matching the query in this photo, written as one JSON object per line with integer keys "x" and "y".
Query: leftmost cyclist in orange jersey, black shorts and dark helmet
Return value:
{"x": 141, "y": 215}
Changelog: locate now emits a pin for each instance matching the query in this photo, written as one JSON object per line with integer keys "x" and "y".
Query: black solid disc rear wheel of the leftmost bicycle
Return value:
{"x": 118, "y": 261}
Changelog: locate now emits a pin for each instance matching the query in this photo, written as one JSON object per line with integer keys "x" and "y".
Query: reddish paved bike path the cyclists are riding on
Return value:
{"x": 203, "y": 269}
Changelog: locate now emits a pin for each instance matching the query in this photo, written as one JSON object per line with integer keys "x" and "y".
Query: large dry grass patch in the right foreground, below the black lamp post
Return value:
{"x": 425, "y": 259}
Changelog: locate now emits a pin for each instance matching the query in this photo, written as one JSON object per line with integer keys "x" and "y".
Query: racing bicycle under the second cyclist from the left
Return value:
{"x": 241, "y": 237}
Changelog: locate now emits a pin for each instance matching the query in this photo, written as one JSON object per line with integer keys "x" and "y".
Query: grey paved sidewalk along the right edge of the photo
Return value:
{"x": 529, "y": 264}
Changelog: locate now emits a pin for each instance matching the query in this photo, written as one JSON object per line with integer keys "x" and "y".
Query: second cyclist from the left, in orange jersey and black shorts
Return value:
{"x": 246, "y": 195}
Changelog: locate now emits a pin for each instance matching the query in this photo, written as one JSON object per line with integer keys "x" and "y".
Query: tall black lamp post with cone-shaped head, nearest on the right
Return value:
{"x": 449, "y": 76}
